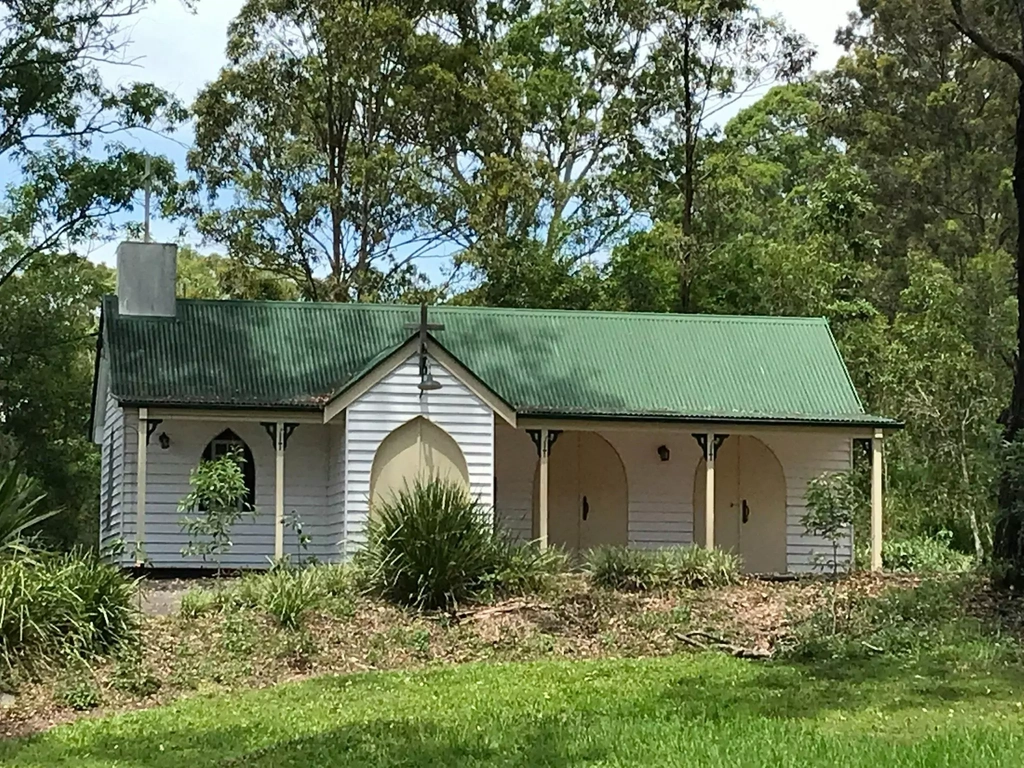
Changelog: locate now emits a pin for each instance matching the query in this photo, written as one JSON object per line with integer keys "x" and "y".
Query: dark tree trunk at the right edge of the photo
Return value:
{"x": 1007, "y": 540}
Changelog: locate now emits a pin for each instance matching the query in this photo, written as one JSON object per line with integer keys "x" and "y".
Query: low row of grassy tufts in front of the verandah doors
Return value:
{"x": 637, "y": 571}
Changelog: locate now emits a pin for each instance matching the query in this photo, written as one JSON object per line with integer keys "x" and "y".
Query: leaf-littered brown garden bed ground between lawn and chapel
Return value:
{"x": 238, "y": 649}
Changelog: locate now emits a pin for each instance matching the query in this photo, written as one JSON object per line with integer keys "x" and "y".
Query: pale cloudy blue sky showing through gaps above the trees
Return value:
{"x": 182, "y": 52}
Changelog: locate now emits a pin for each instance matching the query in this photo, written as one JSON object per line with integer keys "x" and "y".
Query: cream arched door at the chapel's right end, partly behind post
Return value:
{"x": 750, "y": 504}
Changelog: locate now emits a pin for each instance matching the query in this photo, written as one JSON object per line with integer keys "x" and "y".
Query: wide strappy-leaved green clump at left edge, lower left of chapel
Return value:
{"x": 56, "y": 606}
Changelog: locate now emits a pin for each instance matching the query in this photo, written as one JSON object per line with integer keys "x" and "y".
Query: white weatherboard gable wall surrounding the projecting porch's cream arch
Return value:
{"x": 394, "y": 402}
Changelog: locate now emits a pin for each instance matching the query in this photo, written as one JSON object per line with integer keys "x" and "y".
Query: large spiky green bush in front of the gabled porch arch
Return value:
{"x": 433, "y": 546}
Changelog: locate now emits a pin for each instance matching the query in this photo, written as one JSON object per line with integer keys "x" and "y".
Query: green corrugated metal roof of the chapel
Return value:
{"x": 543, "y": 363}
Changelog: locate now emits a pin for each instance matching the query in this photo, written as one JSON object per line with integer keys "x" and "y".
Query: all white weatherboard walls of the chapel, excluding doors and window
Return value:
{"x": 327, "y": 472}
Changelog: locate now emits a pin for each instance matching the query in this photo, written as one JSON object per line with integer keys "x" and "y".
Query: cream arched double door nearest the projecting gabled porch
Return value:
{"x": 588, "y": 503}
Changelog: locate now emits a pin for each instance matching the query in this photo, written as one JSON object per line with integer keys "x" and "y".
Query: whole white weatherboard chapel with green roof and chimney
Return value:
{"x": 580, "y": 430}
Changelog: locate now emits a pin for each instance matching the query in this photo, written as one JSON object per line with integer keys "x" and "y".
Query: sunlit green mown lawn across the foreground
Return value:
{"x": 703, "y": 711}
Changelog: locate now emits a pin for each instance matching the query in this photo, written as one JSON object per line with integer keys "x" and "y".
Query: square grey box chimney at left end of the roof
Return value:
{"x": 147, "y": 278}
